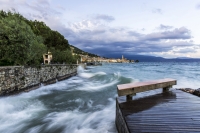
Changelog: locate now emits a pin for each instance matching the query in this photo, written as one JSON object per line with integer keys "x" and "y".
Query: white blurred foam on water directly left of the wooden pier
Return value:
{"x": 101, "y": 121}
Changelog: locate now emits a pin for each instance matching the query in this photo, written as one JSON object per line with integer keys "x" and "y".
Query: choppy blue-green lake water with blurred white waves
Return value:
{"x": 85, "y": 103}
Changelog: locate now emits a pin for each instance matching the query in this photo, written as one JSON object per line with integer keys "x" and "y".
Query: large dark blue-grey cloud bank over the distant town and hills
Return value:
{"x": 142, "y": 43}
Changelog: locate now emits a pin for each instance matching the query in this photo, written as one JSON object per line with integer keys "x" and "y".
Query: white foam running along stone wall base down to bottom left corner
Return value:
{"x": 16, "y": 110}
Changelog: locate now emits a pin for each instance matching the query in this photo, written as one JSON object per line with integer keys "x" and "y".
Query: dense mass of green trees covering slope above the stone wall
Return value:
{"x": 23, "y": 42}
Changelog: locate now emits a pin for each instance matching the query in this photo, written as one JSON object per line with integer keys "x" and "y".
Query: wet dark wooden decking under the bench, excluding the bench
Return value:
{"x": 172, "y": 111}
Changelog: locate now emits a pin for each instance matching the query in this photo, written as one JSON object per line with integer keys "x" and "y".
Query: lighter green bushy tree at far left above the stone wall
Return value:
{"x": 18, "y": 43}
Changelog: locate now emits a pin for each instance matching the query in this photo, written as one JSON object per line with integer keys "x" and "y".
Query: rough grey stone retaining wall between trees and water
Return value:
{"x": 19, "y": 78}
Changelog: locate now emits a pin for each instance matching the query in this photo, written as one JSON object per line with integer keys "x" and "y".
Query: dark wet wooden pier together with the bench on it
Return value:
{"x": 169, "y": 111}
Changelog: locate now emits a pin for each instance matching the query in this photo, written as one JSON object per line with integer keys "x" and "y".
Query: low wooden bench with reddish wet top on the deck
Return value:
{"x": 131, "y": 89}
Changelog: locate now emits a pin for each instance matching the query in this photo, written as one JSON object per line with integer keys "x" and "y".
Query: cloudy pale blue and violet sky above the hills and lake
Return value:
{"x": 111, "y": 28}
